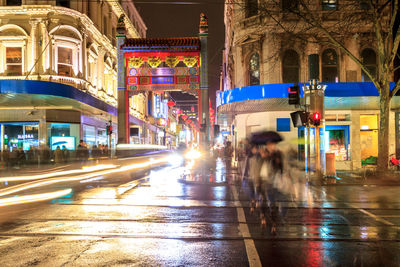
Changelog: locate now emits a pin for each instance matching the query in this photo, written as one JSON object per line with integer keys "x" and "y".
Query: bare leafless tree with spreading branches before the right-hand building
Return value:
{"x": 329, "y": 24}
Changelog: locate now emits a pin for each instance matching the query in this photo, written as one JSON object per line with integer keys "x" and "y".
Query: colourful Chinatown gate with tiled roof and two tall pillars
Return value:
{"x": 156, "y": 65}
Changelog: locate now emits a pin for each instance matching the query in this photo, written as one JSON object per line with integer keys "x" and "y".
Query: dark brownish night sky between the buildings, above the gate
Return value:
{"x": 181, "y": 19}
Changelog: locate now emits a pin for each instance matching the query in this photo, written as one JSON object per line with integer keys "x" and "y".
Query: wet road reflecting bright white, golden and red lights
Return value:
{"x": 159, "y": 220}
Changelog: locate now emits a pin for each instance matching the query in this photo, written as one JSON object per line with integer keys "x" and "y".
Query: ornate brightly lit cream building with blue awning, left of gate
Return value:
{"x": 58, "y": 71}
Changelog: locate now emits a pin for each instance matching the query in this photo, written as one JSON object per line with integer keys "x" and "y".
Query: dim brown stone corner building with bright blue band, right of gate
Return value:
{"x": 261, "y": 62}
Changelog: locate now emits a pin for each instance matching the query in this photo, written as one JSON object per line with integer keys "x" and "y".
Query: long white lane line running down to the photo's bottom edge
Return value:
{"x": 252, "y": 254}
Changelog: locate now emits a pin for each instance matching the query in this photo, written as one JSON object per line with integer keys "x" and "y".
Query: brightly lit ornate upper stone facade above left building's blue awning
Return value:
{"x": 70, "y": 42}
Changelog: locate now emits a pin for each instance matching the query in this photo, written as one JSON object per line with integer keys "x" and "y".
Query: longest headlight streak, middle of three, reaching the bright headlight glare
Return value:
{"x": 35, "y": 184}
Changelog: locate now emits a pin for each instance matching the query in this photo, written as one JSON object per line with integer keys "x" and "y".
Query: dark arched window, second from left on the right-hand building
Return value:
{"x": 290, "y": 67}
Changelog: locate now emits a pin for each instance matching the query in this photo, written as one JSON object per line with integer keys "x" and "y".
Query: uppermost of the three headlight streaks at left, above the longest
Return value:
{"x": 61, "y": 173}
